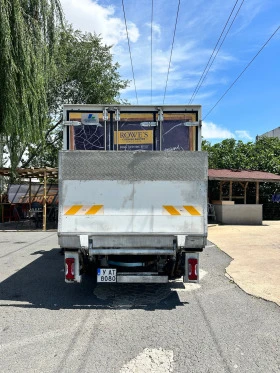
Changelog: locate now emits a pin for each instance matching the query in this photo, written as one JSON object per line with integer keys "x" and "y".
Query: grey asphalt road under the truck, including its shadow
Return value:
{"x": 49, "y": 326}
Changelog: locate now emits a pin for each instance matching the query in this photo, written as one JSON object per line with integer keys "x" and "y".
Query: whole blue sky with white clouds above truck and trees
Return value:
{"x": 170, "y": 44}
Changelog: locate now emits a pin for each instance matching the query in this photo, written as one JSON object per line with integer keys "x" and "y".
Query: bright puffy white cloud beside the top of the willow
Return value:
{"x": 89, "y": 16}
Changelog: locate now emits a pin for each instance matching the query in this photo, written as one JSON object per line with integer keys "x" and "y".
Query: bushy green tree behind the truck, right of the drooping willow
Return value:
{"x": 85, "y": 73}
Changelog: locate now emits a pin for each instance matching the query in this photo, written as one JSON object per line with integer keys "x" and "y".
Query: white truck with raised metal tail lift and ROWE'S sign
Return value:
{"x": 132, "y": 193}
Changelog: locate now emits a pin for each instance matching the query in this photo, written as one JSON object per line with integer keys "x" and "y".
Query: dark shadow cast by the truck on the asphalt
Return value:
{"x": 41, "y": 285}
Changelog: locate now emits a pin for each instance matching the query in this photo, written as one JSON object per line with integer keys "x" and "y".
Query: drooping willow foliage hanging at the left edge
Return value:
{"x": 27, "y": 39}
